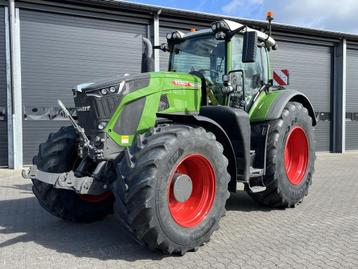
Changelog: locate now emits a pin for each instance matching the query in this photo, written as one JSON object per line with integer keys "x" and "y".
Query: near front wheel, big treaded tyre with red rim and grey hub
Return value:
{"x": 172, "y": 188}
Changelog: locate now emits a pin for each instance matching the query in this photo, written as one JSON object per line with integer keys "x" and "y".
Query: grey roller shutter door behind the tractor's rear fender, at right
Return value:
{"x": 310, "y": 73}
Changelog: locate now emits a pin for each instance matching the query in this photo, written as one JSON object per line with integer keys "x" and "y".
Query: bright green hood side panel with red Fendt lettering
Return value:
{"x": 183, "y": 92}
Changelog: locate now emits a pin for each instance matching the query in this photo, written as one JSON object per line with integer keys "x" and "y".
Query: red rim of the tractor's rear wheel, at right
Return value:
{"x": 296, "y": 155}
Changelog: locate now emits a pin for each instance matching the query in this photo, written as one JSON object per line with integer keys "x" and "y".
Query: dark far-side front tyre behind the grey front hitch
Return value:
{"x": 58, "y": 155}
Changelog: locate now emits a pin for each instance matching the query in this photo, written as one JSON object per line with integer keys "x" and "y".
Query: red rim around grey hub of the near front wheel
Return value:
{"x": 194, "y": 210}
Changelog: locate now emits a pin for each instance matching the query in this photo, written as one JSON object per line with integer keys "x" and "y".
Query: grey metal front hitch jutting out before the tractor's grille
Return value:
{"x": 68, "y": 180}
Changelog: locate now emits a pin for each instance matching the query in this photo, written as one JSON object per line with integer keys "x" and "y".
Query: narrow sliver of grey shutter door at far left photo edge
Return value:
{"x": 3, "y": 119}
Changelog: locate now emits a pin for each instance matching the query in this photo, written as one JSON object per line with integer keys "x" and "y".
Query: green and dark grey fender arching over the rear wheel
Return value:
{"x": 269, "y": 106}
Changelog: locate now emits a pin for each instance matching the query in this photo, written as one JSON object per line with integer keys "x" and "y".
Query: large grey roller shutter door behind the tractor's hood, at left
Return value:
{"x": 60, "y": 51}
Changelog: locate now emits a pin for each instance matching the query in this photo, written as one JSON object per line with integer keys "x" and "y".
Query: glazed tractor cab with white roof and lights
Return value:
{"x": 230, "y": 58}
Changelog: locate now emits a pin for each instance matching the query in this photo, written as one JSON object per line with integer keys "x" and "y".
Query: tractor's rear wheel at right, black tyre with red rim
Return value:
{"x": 290, "y": 158}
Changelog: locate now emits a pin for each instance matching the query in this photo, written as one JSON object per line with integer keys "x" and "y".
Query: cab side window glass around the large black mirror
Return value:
{"x": 254, "y": 73}
